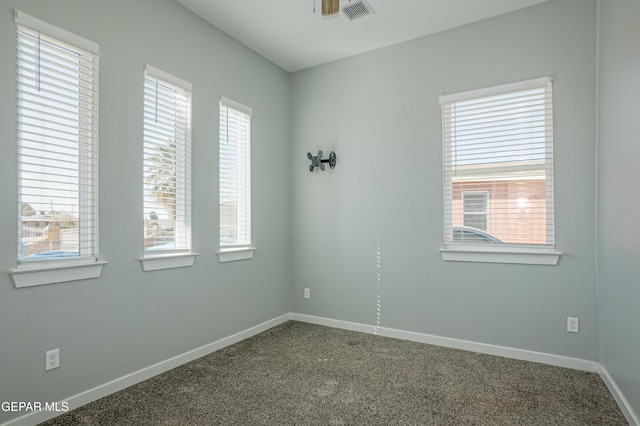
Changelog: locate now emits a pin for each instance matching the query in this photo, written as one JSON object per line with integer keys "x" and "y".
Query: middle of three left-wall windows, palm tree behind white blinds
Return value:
{"x": 166, "y": 162}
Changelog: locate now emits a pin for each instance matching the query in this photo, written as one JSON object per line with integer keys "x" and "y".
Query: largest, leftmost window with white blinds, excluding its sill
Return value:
{"x": 57, "y": 106}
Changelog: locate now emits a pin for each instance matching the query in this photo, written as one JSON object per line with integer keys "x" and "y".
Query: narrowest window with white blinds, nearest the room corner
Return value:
{"x": 235, "y": 175}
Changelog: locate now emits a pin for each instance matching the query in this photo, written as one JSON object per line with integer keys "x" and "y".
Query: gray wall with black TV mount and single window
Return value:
{"x": 380, "y": 113}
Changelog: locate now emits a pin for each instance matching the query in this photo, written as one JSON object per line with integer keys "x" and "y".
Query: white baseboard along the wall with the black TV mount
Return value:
{"x": 484, "y": 348}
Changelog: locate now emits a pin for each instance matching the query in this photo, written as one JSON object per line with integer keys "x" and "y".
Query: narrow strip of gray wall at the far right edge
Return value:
{"x": 618, "y": 196}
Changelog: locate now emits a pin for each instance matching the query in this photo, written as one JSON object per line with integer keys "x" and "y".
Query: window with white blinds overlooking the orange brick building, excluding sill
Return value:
{"x": 498, "y": 166}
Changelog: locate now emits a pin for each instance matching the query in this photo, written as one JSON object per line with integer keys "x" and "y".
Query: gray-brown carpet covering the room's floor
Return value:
{"x": 303, "y": 374}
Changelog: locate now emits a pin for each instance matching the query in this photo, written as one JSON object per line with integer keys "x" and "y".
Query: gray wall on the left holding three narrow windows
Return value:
{"x": 127, "y": 320}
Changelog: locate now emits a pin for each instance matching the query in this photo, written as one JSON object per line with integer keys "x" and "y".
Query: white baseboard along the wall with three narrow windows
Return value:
{"x": 146, "y": 373}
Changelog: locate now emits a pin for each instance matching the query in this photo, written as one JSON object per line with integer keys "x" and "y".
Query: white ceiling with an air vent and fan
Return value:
{"x": 291, "y": 35}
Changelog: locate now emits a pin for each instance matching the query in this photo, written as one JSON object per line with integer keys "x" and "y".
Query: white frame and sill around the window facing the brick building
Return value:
{"x": 492, "y": 252}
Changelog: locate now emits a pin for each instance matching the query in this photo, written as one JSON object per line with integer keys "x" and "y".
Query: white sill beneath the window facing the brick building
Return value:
{"x": 500, "y": 255}
